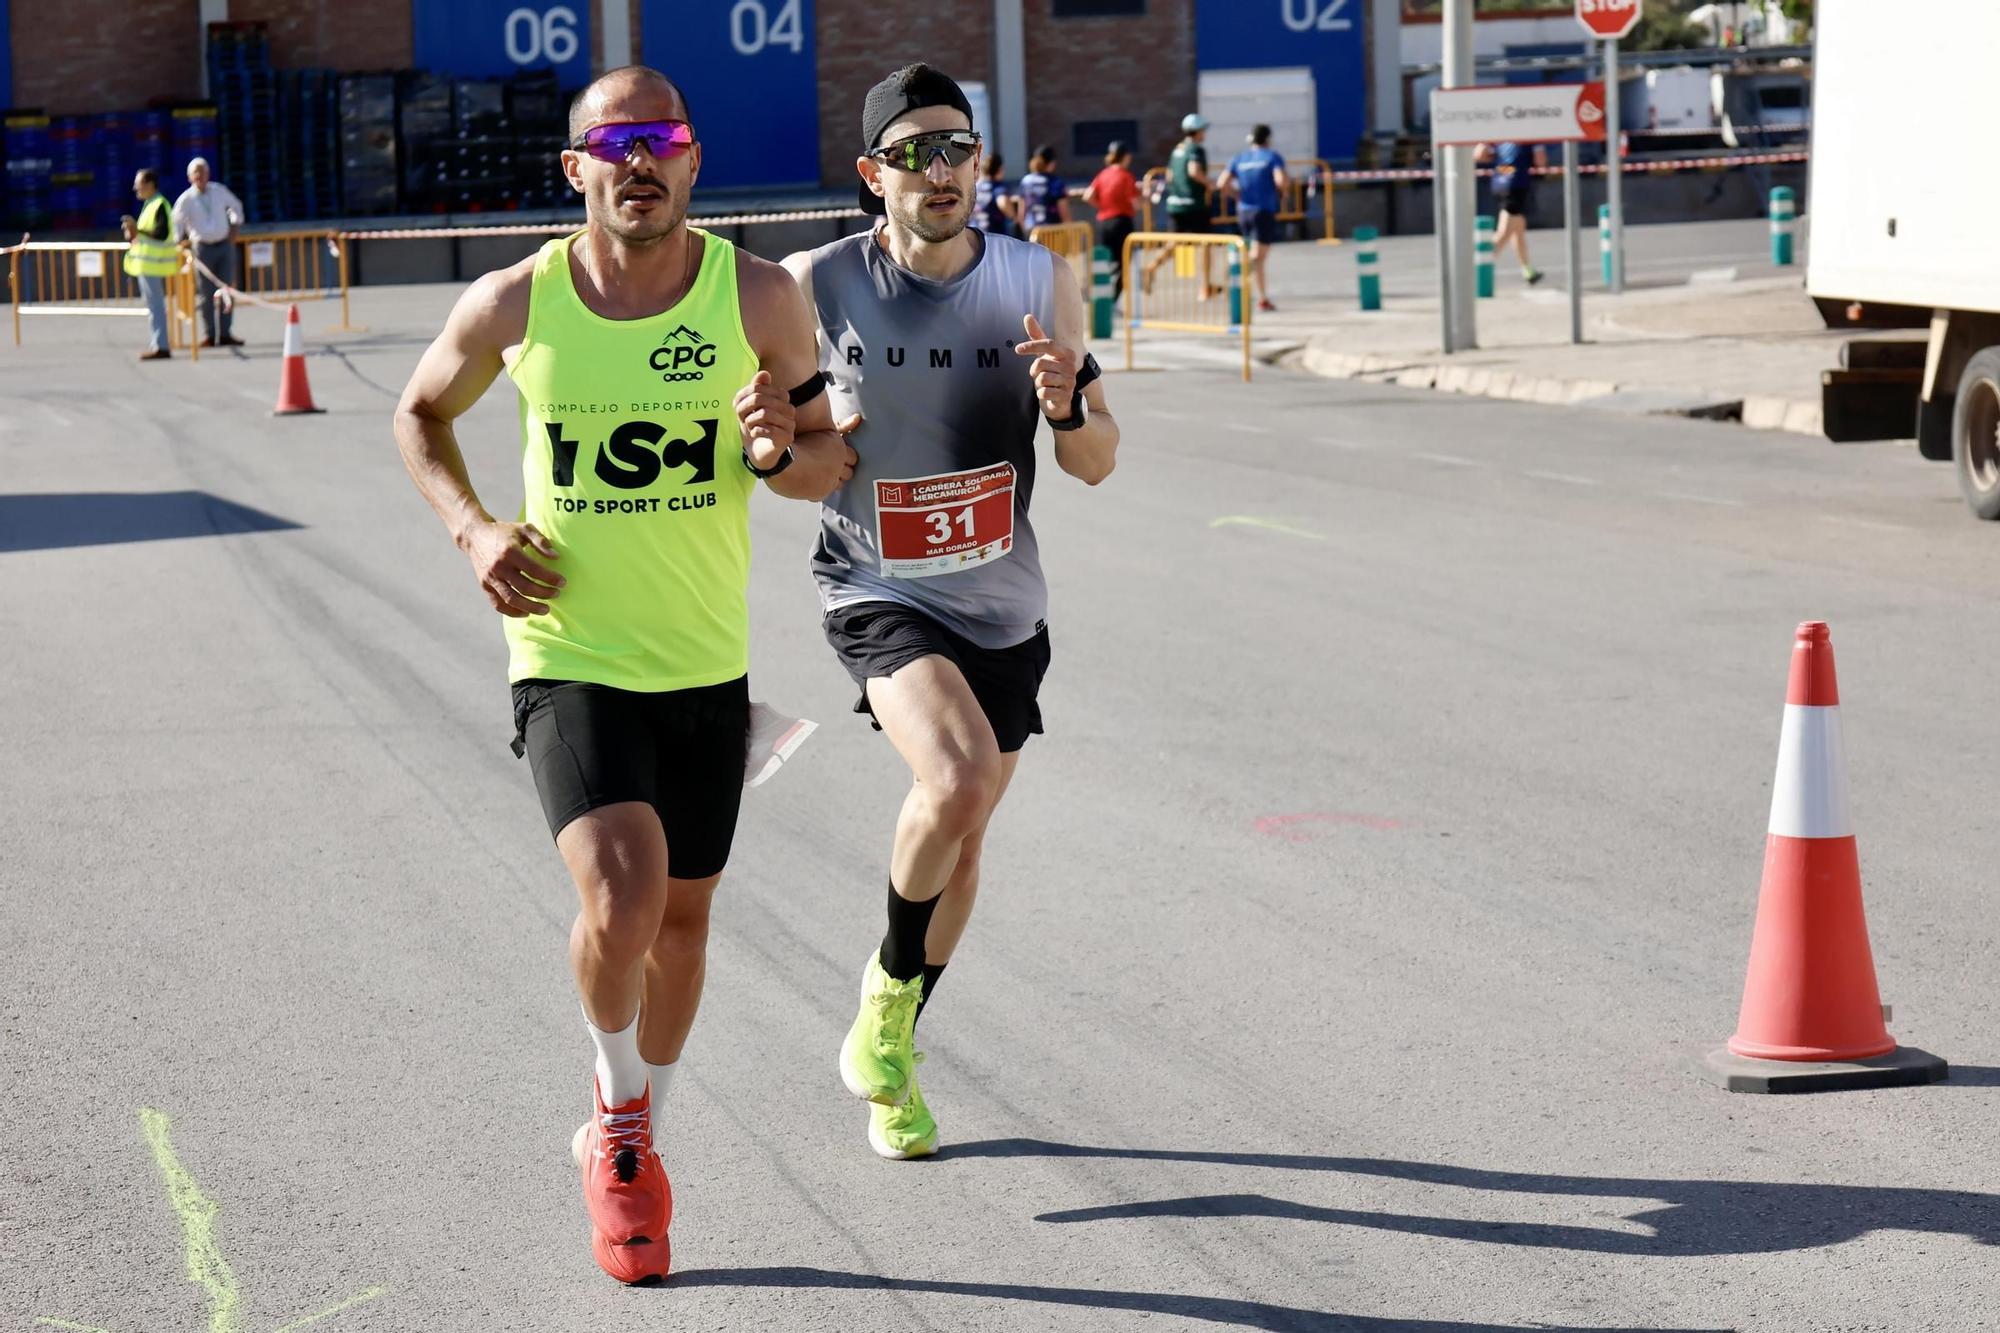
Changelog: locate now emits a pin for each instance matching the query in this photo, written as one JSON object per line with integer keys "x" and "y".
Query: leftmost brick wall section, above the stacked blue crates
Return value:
{"x": 107, "y": 55}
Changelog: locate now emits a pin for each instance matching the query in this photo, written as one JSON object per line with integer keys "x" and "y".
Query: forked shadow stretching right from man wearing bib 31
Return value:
{"x": 1699, "y": 1218}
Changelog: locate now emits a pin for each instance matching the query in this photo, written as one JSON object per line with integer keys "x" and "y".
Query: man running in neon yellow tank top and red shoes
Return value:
{"x": 661, "y": 373}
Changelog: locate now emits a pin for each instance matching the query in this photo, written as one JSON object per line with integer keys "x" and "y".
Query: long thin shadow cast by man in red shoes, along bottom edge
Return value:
{"x": 1209, "y": 1310}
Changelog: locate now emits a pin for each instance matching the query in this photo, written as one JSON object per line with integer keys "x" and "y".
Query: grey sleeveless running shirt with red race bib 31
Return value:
{"x": 937, "y": 513}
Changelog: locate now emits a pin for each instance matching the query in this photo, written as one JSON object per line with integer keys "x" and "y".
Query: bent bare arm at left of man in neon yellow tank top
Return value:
{"x": 457, "y": 369}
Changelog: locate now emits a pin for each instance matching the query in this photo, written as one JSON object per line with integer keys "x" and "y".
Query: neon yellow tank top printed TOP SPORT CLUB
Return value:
{"x": 633, "y": 467}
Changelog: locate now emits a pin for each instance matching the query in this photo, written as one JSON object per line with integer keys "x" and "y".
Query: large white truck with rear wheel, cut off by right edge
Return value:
{"x": 1905, "y": 207}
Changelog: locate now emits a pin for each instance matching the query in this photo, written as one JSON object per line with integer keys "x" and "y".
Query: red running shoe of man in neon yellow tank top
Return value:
{"x": 627, "y": 1192}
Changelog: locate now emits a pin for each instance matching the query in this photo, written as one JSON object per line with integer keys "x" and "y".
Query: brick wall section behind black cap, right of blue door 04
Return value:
{"x": 861, "y": 41}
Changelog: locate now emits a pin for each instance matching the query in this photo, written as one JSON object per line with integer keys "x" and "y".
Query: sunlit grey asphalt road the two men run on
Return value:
{"x": 1393, "y": 844}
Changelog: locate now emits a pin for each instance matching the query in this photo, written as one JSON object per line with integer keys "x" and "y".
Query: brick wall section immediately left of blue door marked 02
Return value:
{"x": 1109, "y": 69}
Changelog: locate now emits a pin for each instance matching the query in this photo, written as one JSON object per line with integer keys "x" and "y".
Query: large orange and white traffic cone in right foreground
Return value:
{"x": 1811, "y": 1016}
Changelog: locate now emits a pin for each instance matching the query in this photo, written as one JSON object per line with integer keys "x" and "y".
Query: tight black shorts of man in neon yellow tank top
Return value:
{"x": 681, "y": 752}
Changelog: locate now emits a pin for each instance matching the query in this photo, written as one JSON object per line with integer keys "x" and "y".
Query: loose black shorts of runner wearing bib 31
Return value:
{"x": 879, "y": 639}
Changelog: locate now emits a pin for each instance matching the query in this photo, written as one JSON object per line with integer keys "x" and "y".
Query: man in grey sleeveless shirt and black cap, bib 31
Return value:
{"x": 951, "y": 345}
